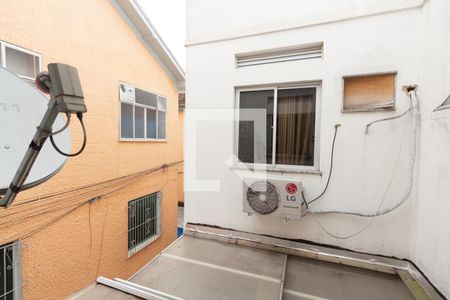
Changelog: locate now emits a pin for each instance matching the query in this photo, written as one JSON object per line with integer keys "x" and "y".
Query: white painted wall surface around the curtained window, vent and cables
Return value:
{"x": 406, "y": 38}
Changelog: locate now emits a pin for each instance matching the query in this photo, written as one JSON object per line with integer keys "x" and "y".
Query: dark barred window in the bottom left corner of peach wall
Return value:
{"x": 10, "y": 265}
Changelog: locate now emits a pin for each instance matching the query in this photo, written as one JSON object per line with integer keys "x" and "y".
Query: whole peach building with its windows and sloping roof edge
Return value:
{"x": 114, "y": 207}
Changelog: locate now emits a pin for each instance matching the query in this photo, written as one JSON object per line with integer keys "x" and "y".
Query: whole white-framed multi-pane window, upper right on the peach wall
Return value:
{"x": 143, "y": 115}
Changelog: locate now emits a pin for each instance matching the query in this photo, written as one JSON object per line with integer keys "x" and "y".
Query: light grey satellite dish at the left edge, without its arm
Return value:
{"x": 22, "y": 108}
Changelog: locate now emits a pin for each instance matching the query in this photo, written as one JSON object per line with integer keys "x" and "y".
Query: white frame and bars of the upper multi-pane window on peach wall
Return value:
{"x": 145, "y": 117}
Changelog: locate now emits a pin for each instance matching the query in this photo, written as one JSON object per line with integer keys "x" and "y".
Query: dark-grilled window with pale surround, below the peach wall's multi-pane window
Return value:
{"x": 144, "y": 222}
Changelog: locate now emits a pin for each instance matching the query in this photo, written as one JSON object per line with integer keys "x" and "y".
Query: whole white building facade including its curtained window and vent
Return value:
{"x": 324, "y": 63}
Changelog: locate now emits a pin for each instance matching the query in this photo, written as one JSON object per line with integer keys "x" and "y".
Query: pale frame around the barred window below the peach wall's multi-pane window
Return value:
{"x": 143, "y": 244}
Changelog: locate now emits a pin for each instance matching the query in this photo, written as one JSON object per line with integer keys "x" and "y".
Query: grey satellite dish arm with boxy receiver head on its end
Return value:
{"x": 66, "y": 95}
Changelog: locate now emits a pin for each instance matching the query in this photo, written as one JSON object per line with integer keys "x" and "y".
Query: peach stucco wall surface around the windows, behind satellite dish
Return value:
{"x": 68, "y": 254}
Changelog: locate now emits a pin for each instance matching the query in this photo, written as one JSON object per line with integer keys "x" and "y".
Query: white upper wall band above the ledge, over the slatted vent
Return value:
{"x": 213, "y": 20}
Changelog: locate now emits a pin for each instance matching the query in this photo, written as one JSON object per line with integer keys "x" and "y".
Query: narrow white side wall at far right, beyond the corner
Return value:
{"x": 431, "y": 245}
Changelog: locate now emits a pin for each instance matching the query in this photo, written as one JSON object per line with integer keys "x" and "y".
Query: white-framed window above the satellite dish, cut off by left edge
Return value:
{"x": 24, "y": 63}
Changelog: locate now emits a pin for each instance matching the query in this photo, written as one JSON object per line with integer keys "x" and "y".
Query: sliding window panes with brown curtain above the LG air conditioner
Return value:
{"x": 286, "y": 136}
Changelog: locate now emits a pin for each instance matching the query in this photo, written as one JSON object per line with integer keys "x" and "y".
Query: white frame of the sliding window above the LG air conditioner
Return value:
{"x": 315, "y": 168}
